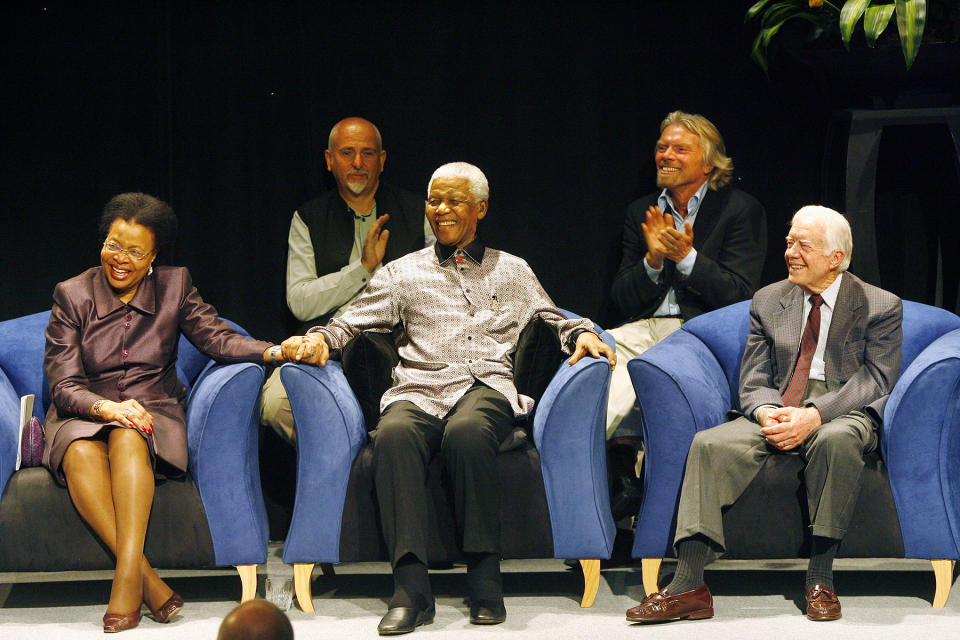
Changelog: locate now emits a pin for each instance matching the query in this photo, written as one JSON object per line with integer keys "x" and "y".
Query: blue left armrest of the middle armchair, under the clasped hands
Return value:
{"x": 330, "y": 433}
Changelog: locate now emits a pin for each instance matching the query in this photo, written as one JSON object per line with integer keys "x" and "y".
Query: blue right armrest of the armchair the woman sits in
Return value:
{"x": 222, "y": 437}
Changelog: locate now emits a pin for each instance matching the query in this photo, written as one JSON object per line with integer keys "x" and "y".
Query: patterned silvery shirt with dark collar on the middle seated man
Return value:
{"x": 460, "y": 313}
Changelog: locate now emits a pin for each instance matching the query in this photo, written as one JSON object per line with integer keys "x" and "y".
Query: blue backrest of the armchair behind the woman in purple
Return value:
{"x": 21, "y": 357}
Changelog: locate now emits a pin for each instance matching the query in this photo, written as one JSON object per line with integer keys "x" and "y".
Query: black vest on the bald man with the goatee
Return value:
{"x": 330, "y": 222}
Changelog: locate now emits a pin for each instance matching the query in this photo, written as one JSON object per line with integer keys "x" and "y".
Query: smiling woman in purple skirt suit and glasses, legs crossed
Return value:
{"x": 117, "y": 419}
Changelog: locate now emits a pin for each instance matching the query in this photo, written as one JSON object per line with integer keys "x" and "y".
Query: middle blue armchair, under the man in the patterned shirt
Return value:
{"x": 555, "y": 501}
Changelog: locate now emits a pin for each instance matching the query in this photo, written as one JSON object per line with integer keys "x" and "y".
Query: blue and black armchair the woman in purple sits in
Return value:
{"x": 215, "y": 516}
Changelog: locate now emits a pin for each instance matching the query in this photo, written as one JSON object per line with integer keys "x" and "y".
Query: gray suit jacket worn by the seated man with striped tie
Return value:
{"x": 862, "y": 357}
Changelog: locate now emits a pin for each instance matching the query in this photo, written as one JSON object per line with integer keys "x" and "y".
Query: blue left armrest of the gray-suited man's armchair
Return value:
{"x": 681, "y": 390}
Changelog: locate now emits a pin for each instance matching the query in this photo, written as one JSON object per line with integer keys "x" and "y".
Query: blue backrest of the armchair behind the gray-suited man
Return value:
{"x": 725, "y": 330}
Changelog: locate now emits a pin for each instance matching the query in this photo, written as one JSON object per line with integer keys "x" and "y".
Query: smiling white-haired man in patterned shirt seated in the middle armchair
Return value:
{"x": 461, "y": 306}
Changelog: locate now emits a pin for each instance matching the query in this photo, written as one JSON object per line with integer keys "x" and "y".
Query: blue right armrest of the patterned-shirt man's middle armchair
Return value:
{"x": 568, "y": 430}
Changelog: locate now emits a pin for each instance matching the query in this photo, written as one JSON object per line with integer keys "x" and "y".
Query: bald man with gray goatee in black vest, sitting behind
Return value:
{"x": 337, "y": 242}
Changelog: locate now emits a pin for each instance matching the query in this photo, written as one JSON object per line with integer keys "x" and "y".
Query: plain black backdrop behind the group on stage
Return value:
{"x": 223, "y": 110}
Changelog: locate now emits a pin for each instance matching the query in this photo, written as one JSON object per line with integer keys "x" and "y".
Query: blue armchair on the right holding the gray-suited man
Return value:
{"x": 910, "y": 503}
